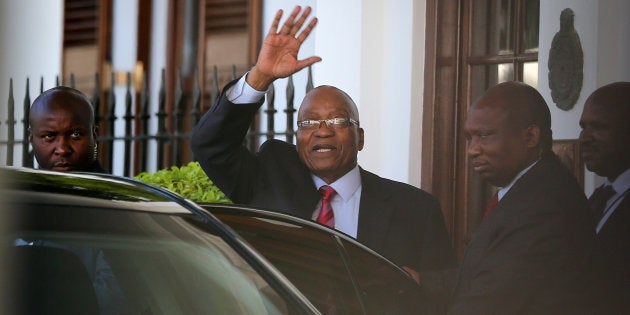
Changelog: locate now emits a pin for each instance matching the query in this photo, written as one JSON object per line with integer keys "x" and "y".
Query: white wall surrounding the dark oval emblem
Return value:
{"x": 603, "y": 28}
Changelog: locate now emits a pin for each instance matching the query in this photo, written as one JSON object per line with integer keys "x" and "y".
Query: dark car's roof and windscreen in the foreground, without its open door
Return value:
{"x": 90, "y": 244}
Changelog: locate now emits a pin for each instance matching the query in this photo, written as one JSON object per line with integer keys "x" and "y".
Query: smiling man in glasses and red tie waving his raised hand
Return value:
{"x": 401, "y": 222}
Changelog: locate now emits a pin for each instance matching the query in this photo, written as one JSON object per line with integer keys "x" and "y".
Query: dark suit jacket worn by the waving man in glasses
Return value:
{"x": 401, "y": 222}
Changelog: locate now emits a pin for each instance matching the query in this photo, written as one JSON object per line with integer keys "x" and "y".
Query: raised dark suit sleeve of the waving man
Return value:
{"x": 217, "y": 143}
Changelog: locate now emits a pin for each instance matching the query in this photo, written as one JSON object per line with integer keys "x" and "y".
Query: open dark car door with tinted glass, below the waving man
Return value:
{"x": 335, "y": 272}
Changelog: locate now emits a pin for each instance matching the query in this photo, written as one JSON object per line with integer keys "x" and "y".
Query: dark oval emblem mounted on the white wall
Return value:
{"x": 565, "y": 63}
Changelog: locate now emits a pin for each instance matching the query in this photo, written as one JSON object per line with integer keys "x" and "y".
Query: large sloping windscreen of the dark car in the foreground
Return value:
{"x": 137, "y": 262}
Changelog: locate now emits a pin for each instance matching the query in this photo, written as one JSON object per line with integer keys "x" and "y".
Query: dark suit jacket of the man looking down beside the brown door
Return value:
{"x": 530, "y": 255}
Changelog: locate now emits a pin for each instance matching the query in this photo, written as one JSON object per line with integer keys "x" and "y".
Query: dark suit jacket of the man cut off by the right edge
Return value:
{"x": 612, "y": 257}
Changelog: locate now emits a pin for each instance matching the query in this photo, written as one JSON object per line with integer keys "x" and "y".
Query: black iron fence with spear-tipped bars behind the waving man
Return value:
{"x": 137, "y": 148}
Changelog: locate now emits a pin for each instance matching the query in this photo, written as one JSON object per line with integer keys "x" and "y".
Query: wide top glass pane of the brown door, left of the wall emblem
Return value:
{"x": 492, "y": 27}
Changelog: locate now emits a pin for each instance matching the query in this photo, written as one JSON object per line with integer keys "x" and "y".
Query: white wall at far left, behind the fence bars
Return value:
{"x": 31, "y": 46}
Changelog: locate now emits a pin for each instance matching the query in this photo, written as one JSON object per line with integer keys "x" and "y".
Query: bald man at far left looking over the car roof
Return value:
{"x": 62, "y": 131}
